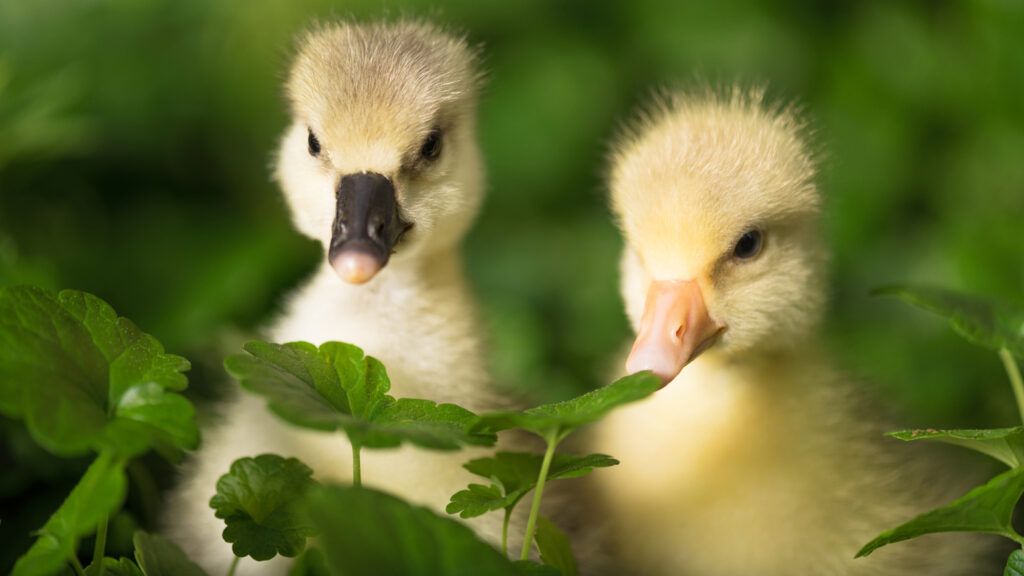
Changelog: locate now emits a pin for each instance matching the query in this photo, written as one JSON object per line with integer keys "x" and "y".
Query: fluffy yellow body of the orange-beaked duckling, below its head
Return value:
{"x": 774, "y": 467}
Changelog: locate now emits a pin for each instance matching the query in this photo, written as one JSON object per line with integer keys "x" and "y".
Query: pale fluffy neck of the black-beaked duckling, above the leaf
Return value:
{"x": 416, "y": 316}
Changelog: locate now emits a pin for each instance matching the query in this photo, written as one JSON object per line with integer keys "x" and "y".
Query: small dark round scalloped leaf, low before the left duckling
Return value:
{"x": 260, "y": 501}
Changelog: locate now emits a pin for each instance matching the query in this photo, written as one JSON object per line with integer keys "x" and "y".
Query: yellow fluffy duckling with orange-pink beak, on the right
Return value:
{"x": 757, "y": 458}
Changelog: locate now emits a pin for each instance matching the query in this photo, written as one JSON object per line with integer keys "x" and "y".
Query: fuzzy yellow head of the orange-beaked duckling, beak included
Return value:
{"x": 716, "y": 200}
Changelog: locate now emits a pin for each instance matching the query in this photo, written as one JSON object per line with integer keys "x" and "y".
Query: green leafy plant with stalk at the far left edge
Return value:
{"x": 86, "y": 381}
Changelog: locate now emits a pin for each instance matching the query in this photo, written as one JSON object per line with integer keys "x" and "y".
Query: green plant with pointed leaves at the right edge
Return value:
{"x": 990, "y": 508}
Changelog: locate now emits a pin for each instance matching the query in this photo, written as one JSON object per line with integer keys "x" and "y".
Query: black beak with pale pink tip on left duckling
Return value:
{"x": 367, "y": 227}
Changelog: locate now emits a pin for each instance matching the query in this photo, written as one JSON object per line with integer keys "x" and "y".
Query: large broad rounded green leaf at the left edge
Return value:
{"x": 83, "y": 379}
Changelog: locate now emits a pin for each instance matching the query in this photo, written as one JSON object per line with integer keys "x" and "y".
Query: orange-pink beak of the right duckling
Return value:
{"x": 675, "y": 328}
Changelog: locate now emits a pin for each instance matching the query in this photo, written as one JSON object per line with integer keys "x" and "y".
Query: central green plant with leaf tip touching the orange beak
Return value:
{"x": 337, "y": 388}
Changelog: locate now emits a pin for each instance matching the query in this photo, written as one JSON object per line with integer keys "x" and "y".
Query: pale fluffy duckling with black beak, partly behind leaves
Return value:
{"x": 382, "y": 167}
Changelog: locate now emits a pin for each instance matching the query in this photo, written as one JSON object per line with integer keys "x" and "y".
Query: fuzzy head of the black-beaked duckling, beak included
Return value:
{"x": 380, "y": 162}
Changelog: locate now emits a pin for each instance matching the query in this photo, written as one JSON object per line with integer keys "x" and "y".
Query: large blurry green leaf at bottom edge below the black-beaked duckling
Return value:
{"x": 370, "y": 532}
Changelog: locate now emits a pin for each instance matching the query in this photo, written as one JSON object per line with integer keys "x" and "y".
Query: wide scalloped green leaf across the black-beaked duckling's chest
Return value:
{"x": 336, "y": 387}
